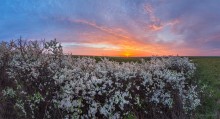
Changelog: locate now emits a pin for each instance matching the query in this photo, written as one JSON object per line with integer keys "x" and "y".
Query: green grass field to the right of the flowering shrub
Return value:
{"x": 208, "y": 72}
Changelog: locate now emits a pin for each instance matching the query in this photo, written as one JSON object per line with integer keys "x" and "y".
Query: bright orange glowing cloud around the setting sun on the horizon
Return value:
{"x": 110, "y": 45}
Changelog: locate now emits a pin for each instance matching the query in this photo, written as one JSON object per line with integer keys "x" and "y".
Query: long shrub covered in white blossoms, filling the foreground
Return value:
{"x": 45, "y": 83}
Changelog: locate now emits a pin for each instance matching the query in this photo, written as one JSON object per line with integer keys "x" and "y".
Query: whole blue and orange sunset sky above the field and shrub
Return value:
{"x": 117, "y": 27}
